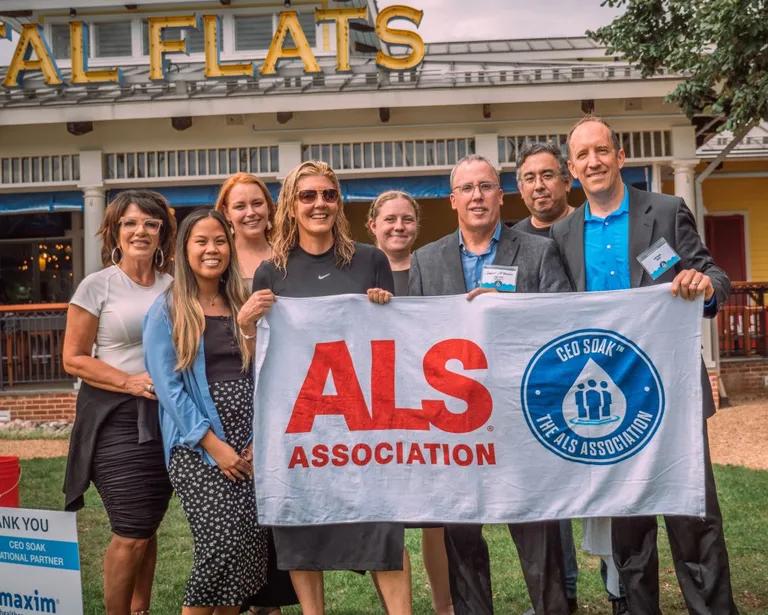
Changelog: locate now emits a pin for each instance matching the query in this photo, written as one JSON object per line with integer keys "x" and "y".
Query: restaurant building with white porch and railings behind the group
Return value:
{"x": 65, "y": 150}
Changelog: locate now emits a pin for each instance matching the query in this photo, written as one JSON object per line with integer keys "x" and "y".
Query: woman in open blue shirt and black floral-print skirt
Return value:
{"x": 199, "y": 360}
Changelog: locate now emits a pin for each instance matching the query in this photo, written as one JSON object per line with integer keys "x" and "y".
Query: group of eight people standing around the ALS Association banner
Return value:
{"x": 165, "y": 403}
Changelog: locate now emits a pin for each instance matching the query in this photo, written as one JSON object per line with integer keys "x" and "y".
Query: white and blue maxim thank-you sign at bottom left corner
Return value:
{"x": 39, "y": 563}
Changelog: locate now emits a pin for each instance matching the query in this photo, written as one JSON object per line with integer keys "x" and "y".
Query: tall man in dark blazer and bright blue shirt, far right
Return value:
{"x": 600, "y": 243}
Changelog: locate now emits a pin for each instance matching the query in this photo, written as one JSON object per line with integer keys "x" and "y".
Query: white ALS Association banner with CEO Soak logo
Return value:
{"x": 508, "y": 408}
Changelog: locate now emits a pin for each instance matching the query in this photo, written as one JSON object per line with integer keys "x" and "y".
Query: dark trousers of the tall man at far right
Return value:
{"x": 698, "y": 552}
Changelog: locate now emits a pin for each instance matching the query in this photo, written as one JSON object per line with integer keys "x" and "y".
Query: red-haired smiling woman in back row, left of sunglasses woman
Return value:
{"x": 246, "y": 203}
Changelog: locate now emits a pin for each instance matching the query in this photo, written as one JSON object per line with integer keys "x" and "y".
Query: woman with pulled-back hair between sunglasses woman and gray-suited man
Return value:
{"x": 393, "y": 223}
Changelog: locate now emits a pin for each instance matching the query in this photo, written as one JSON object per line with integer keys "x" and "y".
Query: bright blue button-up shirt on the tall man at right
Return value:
{"x": 606, "y": 248}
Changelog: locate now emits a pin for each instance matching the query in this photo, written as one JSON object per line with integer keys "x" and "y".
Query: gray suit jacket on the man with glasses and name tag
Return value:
{"x": 436, "y": 268}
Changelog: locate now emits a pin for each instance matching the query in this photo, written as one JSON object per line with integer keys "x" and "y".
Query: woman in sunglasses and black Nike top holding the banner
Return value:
{"x": 313, "y": 255}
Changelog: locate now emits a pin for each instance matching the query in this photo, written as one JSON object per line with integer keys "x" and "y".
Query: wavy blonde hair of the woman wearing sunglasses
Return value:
{"x": 285, "y": 234}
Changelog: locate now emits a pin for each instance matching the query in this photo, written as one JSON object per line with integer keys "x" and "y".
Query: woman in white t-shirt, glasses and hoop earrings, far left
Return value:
{"x": 116, "y": 440}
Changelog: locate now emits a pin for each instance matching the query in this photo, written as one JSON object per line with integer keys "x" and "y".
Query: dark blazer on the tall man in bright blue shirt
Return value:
{"x": 651, "y": 216}
